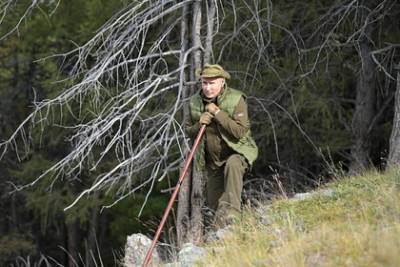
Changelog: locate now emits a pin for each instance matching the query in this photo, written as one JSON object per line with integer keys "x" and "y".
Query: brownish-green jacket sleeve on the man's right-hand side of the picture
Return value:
{"x": 239, "y": 124}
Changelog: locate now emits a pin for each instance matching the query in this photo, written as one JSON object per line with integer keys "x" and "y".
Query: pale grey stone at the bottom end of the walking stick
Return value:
{"x": 136, "y": 248}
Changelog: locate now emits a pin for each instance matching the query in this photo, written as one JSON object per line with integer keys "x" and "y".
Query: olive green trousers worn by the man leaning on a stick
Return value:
{"x": 224, "y": 188}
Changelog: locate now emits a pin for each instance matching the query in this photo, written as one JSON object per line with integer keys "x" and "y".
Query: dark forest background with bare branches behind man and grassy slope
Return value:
{"x": 93, "y": 95}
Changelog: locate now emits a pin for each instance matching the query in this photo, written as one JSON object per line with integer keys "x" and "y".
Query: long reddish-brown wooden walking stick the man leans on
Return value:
{"x": 174, "y": 194}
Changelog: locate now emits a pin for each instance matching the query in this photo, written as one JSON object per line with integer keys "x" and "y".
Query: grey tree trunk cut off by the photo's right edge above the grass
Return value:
{"x": 394, "y": 150}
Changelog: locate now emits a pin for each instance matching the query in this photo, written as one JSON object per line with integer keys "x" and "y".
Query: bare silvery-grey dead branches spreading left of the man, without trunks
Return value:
{"x": 122, "y": 124}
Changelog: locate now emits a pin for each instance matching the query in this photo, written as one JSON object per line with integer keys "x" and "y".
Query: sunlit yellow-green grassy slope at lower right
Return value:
{"x": 359, "y": 225}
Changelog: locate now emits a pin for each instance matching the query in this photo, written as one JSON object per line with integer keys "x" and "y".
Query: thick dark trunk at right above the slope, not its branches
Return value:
{"x": 364, "y": 109}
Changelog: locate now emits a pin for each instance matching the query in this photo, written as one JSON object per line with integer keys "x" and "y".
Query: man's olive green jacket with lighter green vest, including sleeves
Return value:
{"x": 227, "y": 125}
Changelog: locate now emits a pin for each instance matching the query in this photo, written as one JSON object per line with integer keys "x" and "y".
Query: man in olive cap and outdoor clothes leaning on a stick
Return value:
{"x": 228, "y": 149}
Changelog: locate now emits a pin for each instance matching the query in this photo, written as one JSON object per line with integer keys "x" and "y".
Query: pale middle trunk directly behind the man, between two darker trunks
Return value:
{"x": 197, "y": 197}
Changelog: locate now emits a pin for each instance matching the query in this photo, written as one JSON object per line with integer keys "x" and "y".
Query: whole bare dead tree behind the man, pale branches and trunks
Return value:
{"x": 132, "y": 66}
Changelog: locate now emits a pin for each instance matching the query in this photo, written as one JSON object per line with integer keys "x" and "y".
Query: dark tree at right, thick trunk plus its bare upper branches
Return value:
{"x": 365, "y": 15}
